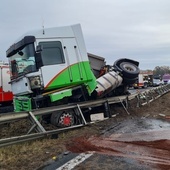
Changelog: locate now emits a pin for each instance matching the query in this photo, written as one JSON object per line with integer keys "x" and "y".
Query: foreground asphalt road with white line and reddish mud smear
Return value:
{"x": 132, "y": 144}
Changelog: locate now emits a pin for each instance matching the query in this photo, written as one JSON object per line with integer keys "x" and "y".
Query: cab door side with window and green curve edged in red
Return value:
{"x": 61, "y": 63}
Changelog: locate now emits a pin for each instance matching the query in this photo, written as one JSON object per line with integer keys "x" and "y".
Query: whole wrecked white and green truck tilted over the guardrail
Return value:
{"x": 51, "y": 67}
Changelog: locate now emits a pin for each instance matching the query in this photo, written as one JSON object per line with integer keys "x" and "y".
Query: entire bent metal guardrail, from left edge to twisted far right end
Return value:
{"x": 142, "y": 98}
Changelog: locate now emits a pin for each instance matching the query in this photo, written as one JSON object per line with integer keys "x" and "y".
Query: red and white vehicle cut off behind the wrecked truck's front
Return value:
{"x": 6, "y": 95}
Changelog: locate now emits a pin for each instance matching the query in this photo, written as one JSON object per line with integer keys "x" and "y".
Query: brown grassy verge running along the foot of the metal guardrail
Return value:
{"x": 31, "y": 155}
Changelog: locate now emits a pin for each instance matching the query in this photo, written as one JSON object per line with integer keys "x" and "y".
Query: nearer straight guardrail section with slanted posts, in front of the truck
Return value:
{"x": 40, "y": 130}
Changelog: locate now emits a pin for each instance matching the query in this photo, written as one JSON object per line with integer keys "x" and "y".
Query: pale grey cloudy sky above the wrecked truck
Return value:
{"x": 113, "y": 29}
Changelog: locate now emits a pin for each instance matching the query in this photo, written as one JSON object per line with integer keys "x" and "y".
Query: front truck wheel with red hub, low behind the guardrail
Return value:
{"x": 63, "y": 118}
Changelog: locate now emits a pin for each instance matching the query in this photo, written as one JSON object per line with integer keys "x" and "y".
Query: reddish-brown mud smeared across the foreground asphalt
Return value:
{"x": 153, "y": 153}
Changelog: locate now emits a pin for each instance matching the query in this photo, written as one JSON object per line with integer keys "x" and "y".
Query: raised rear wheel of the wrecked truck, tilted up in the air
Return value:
{"x": 129, "y": 70}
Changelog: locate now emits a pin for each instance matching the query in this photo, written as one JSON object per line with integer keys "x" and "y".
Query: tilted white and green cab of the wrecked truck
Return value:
{"x": 47, "y": 64}
